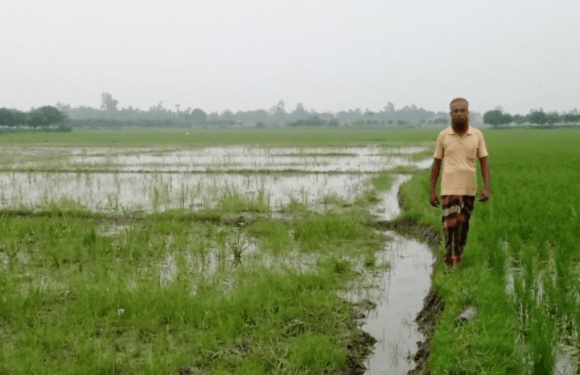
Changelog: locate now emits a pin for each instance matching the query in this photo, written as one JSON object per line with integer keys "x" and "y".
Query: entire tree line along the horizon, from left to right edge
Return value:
{"x": 110, "y": 116}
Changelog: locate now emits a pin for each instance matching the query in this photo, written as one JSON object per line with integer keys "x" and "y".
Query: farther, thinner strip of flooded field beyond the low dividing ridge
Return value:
{"x": 214, "y": 159}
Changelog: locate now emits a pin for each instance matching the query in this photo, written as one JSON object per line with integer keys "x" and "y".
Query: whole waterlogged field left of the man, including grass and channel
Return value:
{"x": 131, "y": 283}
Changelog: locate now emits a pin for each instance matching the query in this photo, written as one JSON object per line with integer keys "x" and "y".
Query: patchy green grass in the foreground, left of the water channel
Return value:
{"x": 77, "y": 301}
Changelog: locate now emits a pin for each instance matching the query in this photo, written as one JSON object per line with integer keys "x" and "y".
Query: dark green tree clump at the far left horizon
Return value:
{"x": 35, "y": 118}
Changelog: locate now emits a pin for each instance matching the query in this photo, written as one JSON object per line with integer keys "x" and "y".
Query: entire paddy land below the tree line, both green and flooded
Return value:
{"x": 265, "y": 252}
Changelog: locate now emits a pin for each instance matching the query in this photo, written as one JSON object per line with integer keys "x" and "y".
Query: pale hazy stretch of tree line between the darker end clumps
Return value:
{"x": 110, "y": 115}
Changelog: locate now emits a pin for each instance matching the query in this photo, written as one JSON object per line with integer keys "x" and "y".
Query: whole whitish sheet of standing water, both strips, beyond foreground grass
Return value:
{"x": 105, "y": 179}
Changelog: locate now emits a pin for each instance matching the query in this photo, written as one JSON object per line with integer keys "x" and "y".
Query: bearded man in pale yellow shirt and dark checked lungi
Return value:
{"x": 457, "y": 148}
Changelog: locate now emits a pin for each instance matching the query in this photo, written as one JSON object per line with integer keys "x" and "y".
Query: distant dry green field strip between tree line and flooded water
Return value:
{"x": 207, "y": 137}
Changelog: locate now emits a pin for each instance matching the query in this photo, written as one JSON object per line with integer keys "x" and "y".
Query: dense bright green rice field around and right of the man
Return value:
{"x": 529, "y": 224}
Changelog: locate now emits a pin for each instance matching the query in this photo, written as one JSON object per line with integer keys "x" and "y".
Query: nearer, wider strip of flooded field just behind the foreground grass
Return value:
{"x": 121, "y": 192}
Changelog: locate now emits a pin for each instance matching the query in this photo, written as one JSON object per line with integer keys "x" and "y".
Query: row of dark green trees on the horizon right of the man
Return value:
{"x": 498, "y": 118}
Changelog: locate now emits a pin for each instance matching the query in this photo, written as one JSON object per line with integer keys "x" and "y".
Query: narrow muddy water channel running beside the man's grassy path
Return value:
{"x": 399, "y": 293}
